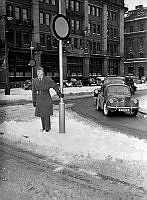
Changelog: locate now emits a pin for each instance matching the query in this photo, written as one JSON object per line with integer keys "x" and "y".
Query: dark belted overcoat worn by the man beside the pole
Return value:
{"x": 41, "y": 96}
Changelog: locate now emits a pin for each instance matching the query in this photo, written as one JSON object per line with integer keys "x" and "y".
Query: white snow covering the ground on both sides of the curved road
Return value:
{"x": 84, "y": 143}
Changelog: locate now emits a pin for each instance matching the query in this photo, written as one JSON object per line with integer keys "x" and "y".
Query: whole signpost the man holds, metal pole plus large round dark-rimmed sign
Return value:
{"x": 60, "y": 28}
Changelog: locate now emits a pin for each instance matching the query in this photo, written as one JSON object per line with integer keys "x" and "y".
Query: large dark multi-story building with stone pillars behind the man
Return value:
{"x": 95, "y": 45}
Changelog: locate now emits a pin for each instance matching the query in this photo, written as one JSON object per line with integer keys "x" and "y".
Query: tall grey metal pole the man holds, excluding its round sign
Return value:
{"x": 61, "y": 104}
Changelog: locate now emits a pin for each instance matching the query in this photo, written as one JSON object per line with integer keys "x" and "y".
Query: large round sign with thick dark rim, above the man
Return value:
{"x": 60, "y": 27}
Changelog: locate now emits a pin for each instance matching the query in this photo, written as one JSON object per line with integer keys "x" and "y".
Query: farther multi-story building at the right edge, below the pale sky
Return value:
{"x": 135, "y": 42}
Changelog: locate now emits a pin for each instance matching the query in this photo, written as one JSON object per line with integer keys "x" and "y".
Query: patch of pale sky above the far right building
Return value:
{"x": 132, "y": 3}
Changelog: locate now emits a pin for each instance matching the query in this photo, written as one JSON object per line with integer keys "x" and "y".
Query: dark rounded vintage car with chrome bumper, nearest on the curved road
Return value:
{"x": 116, "y": 97}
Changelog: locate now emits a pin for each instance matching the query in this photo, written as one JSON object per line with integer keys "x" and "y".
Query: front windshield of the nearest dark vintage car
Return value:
{"x": 118, "y": 89}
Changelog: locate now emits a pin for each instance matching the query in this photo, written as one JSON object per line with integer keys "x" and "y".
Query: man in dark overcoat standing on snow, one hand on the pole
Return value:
{"x": 41, "y": 97}
